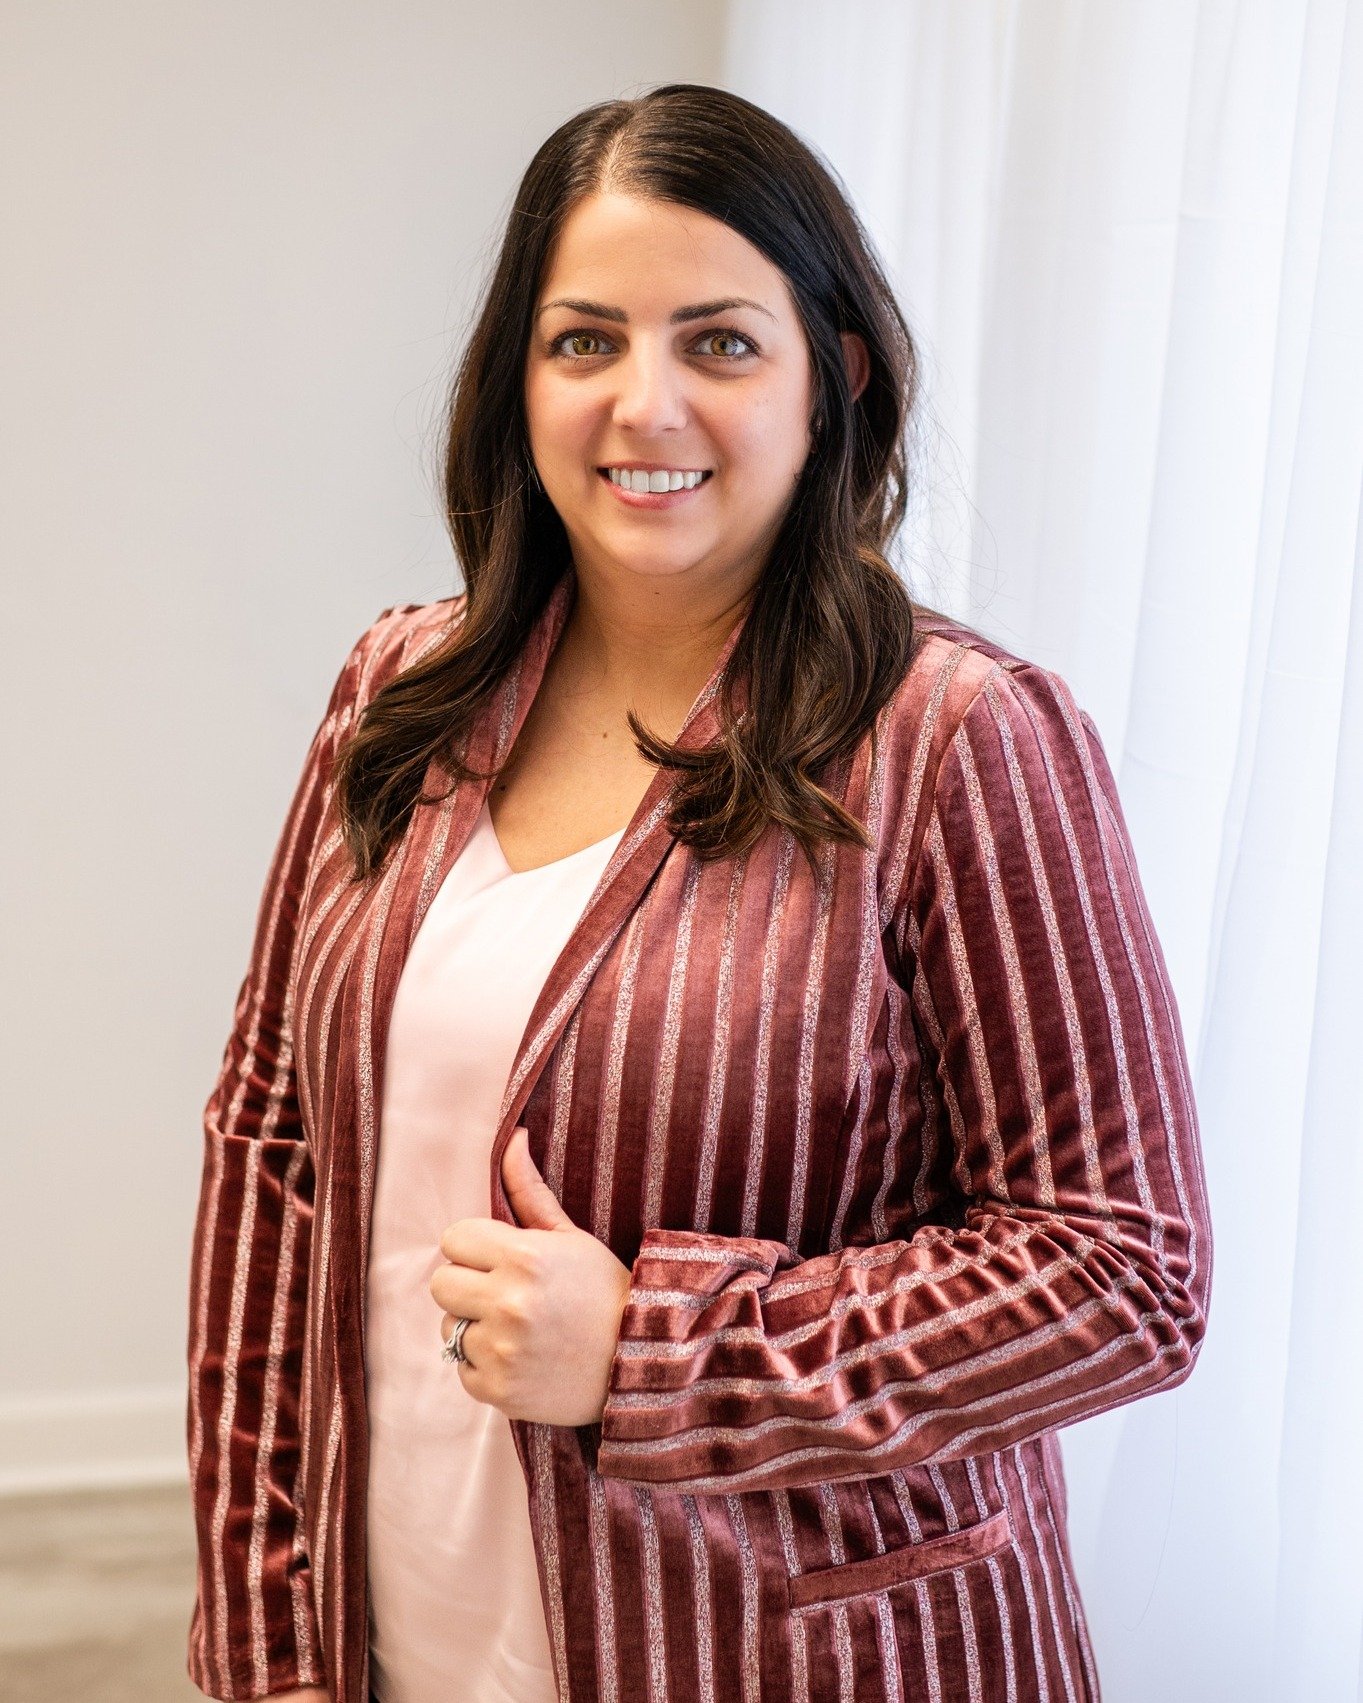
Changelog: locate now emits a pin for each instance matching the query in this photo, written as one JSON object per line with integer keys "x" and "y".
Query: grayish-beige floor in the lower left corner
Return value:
{"x": 96, "y": 1591}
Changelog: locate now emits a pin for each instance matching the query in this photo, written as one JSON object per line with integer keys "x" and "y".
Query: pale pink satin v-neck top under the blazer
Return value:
{"x": 454, "y": 1590}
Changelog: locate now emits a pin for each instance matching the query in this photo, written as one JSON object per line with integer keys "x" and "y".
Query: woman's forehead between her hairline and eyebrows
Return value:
{"x": 652, "y": 256}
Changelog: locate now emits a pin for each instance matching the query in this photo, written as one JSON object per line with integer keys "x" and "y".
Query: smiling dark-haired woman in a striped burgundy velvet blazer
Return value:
{"x": 768, "y": 953}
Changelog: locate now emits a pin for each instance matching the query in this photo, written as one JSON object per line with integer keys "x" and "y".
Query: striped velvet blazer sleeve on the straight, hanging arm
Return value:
{"x": 253, "y": 1629}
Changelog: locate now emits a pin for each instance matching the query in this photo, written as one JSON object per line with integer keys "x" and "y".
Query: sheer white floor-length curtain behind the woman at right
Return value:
{"x": 1129, "y": 236}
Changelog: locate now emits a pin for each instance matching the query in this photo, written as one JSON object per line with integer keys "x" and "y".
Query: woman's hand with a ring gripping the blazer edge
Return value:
{"x": 546, "y": 1304}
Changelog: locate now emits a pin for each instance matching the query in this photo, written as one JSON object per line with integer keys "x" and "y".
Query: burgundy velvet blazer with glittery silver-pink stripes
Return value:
{"x": 904, "y": 1162}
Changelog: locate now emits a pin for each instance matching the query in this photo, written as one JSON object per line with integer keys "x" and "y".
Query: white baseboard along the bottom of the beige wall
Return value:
{"x": 93, "y": 1442}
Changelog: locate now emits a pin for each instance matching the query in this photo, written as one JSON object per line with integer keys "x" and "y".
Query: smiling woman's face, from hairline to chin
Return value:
{"x": 667, "y": 345}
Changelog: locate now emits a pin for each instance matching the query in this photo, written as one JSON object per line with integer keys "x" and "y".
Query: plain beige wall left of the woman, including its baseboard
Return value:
{"x": 243, "y": 243}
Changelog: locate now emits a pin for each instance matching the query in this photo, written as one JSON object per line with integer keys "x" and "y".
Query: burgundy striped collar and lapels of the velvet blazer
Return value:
{"x": 440, "y": 834}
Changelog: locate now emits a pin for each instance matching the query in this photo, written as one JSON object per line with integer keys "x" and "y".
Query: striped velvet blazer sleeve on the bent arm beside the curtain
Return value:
{"x": 1076, "y": 1275}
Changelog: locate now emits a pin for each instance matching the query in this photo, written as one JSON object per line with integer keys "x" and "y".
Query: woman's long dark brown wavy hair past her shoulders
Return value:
{"x": 829, "y": 633}
